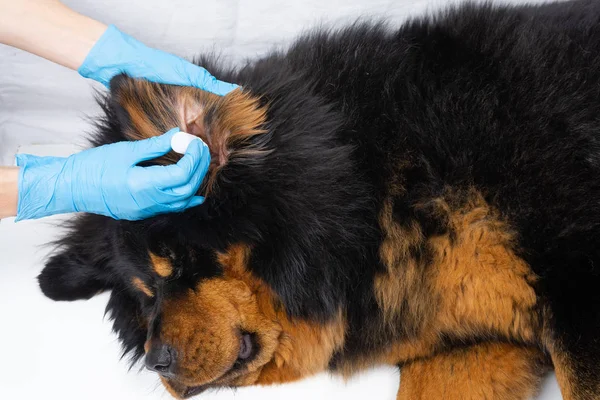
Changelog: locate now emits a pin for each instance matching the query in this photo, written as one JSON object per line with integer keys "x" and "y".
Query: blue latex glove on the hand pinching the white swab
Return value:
{"x": 106, "y": 180}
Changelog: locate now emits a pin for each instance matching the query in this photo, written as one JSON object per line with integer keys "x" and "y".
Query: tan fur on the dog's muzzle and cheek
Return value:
{"x": 203, "y": 326}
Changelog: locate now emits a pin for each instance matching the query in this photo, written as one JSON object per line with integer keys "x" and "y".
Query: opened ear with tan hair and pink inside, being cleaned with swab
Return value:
{"x": 224, "y": 123}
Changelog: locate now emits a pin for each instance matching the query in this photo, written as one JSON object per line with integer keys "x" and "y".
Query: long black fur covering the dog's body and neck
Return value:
{"x": 504, "y": 99}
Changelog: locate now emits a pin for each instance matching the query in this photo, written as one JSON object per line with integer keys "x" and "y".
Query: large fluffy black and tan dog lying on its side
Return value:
{"x": 426, "y": 197}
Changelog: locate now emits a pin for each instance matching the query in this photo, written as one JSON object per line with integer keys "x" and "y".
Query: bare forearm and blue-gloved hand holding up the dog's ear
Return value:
{"x": 51, "y": 30}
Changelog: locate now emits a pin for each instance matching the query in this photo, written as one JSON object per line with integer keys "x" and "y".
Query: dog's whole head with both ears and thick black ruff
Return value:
{"x": 245, "y": 289}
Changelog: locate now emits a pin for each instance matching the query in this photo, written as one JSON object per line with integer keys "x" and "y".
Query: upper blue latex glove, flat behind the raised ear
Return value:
{"x": 116, "y": 52}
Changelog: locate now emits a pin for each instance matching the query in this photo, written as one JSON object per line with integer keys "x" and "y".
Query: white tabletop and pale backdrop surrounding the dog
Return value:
{"x": 66, "y": 350}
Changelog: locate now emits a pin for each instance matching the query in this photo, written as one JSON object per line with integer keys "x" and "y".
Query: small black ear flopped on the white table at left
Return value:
{"x": 81, "y": 267}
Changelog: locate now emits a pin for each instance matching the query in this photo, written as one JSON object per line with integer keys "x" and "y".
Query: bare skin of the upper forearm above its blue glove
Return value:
{"x": 48, "y": 29}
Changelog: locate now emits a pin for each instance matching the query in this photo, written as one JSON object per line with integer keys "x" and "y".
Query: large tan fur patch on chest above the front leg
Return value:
{"x": 474, "y": 285}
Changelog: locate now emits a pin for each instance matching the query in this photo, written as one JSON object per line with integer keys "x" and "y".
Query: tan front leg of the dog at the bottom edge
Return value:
{"x": 493, "y": 371}
